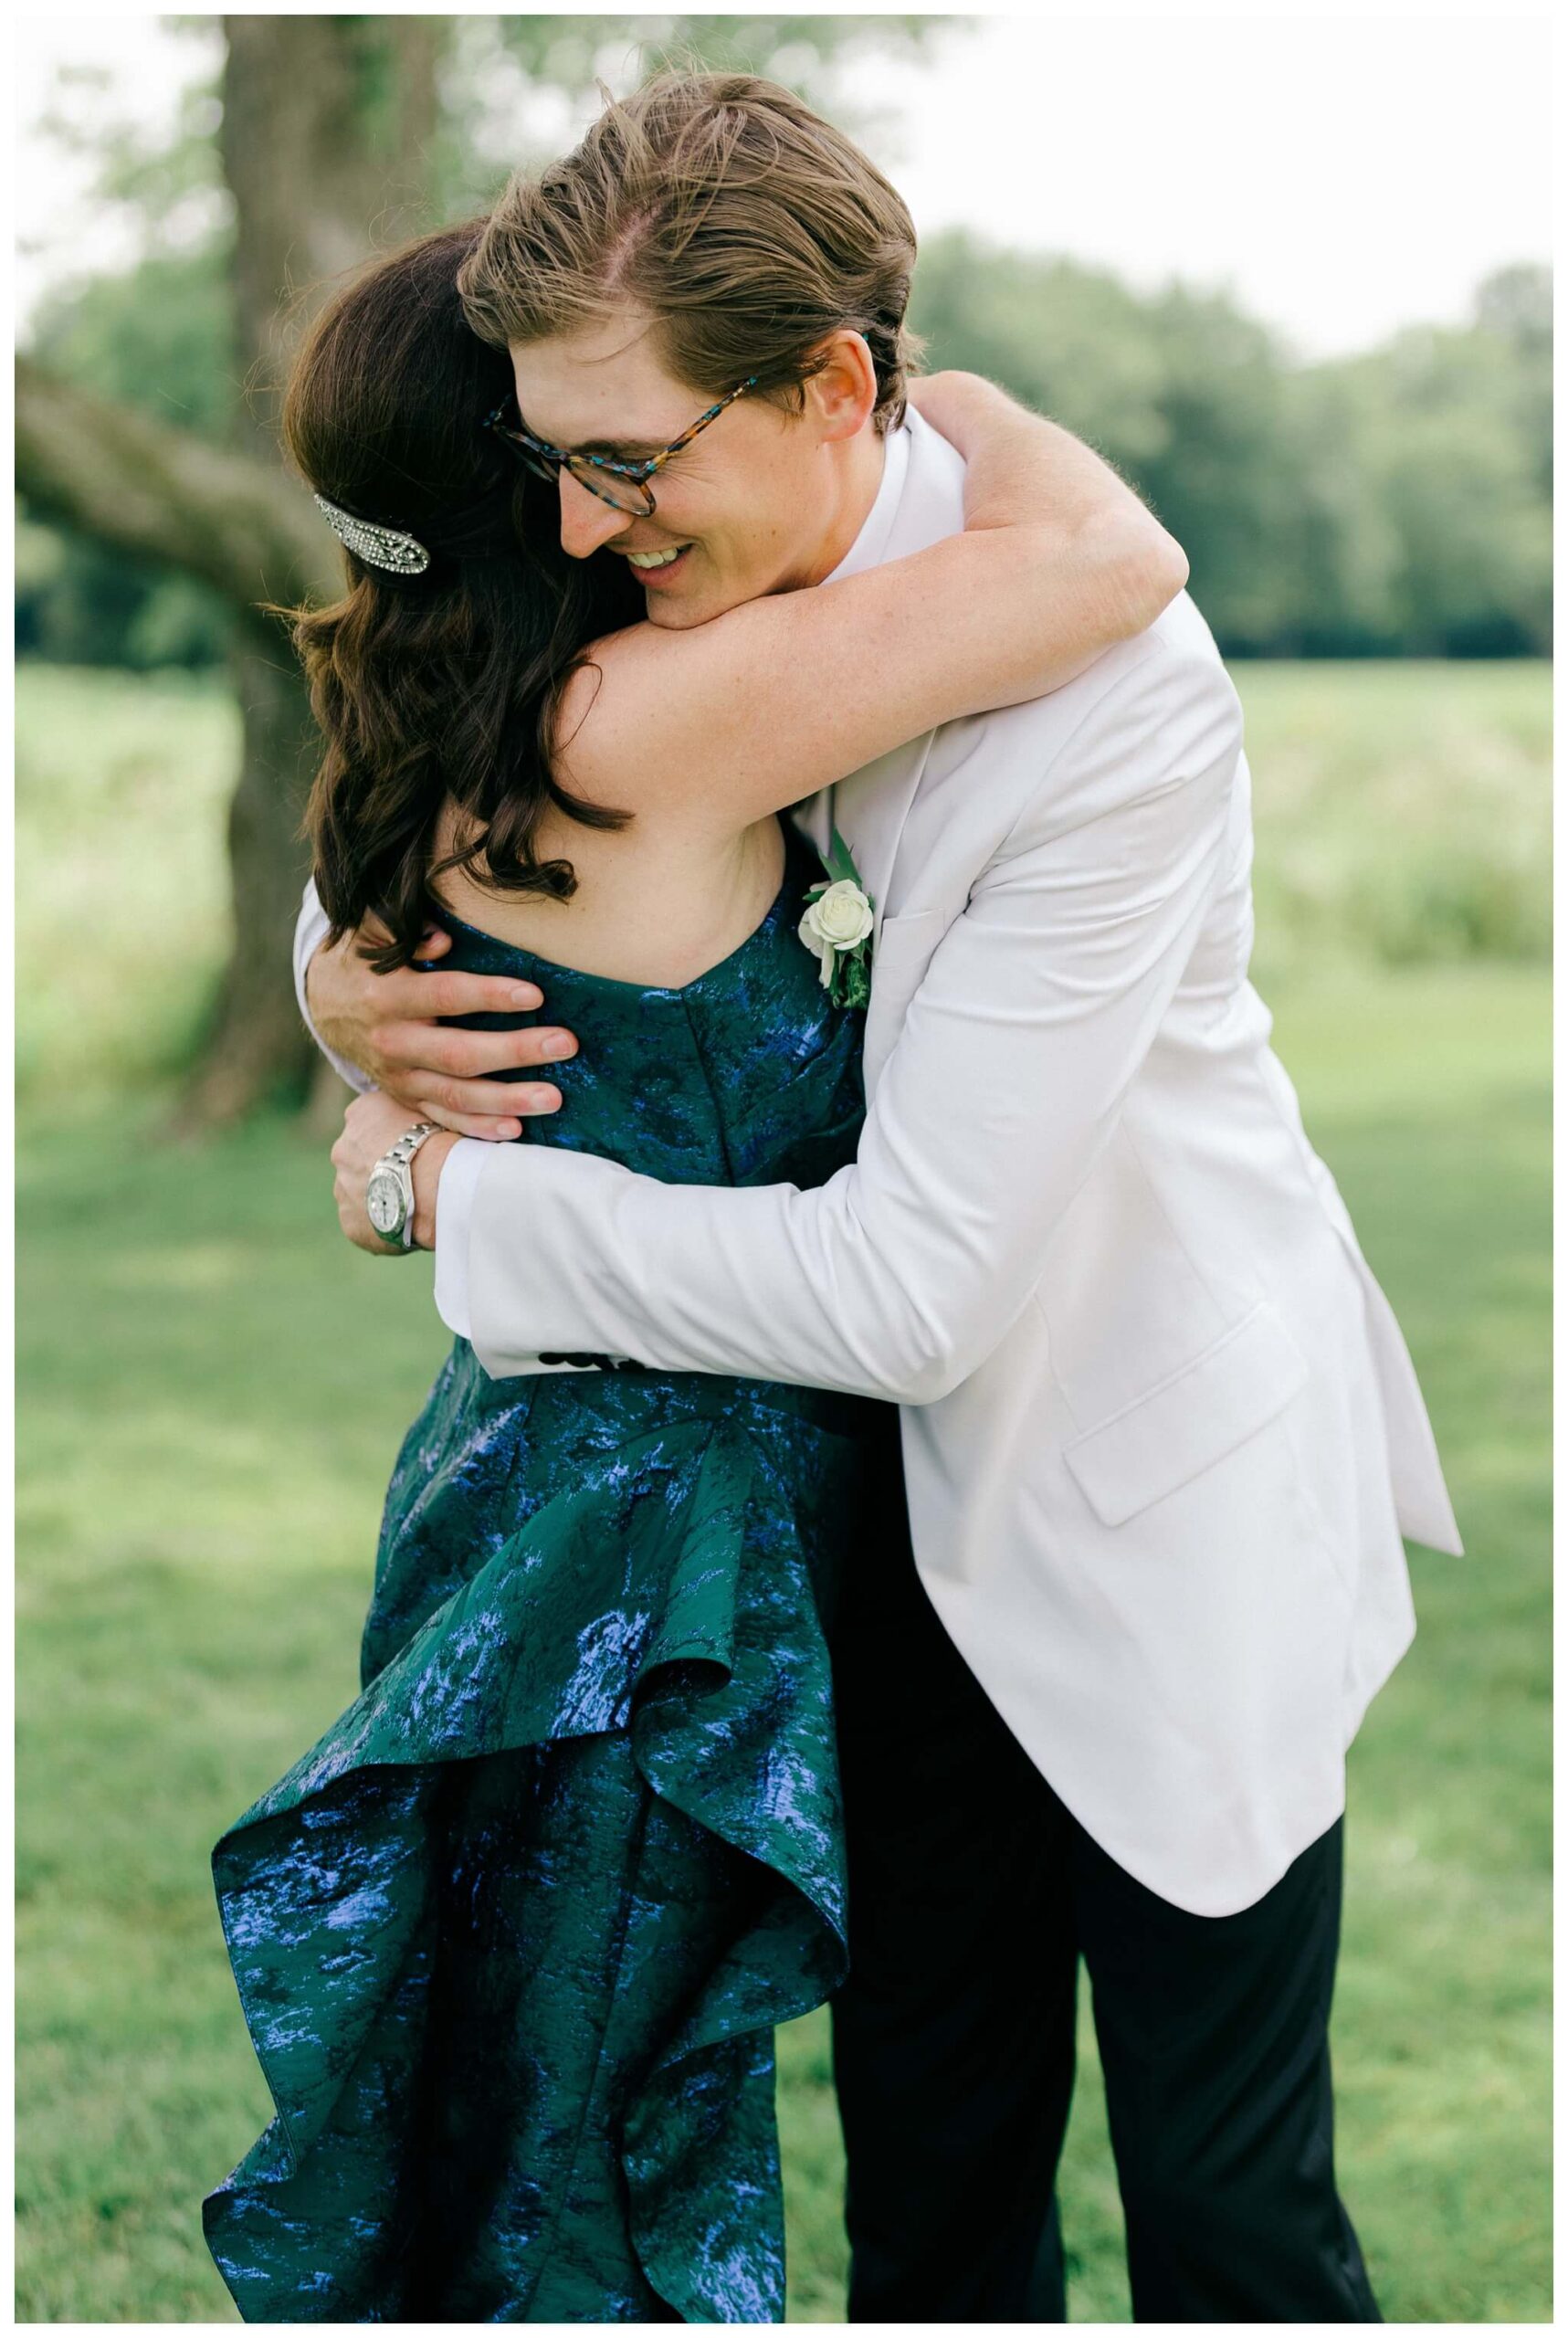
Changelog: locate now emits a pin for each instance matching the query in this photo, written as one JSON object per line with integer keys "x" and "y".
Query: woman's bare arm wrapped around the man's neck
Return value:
{"x": 735, "y": 719}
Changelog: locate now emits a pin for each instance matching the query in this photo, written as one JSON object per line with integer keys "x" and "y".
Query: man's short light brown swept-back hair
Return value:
{"x": 726, "y": 209}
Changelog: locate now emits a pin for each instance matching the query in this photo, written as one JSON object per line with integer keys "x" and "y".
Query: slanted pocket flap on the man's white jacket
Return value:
{"x": 1188, "y": 1423}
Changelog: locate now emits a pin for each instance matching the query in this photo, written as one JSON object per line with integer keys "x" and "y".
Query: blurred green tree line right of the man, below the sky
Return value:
{"x": 1394, "y": 504}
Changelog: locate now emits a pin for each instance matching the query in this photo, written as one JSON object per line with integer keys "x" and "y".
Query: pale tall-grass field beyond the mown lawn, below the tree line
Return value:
{"x": 1403, "y": 817}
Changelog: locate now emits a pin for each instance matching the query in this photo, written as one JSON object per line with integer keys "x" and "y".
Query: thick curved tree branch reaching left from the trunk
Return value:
{"x": 228, "y": 518}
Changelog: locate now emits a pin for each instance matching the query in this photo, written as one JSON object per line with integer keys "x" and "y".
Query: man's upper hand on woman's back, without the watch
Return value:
{"x": 391, "y": 1028}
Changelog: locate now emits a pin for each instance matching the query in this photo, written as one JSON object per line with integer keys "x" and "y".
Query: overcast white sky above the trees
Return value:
{"x": 1342, "y": 174}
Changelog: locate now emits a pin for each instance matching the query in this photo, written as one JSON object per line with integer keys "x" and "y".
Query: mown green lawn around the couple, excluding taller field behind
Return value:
{"x": 204, "y": 1448}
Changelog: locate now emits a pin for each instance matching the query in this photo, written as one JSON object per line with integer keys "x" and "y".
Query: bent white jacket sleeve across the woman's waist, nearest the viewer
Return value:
{"x": 908, "y": 1268}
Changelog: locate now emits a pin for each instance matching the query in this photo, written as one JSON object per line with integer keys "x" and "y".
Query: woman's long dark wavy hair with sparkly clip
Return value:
{"x": 443, "y": 684}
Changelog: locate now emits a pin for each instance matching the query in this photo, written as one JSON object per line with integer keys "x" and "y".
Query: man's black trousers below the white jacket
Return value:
{"x": 973, "y": 1897}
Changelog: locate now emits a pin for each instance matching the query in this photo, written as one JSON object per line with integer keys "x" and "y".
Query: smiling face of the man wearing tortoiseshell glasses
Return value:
{"x": 761, "y": 502}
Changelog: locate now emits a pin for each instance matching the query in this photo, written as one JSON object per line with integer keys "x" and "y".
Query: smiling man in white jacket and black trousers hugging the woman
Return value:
{"x": 1160, "y": 1430}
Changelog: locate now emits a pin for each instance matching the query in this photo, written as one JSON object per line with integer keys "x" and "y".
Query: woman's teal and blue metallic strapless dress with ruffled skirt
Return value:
{"x": 515, "y": 1935}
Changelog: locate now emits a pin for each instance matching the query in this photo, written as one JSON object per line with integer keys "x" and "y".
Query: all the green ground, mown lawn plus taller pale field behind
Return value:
{"x": 211, "y": 1390}
